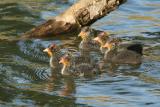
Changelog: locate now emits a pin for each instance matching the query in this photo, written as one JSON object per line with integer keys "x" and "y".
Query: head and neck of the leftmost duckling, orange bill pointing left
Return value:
{"x": 55, "y": 54}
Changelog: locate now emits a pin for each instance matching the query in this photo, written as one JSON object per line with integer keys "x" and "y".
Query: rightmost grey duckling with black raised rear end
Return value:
{"x": 130, "y": 55}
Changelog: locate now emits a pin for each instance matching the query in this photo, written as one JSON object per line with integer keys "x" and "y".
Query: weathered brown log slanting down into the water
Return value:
{"x": 82, "y": 13}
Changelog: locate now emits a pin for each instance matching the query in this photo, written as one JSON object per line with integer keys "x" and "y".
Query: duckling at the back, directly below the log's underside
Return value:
{"x": 87, "y": 43}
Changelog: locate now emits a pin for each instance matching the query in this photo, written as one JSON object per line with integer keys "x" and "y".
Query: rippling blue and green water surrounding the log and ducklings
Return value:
{"x": 25, "y": 77}
